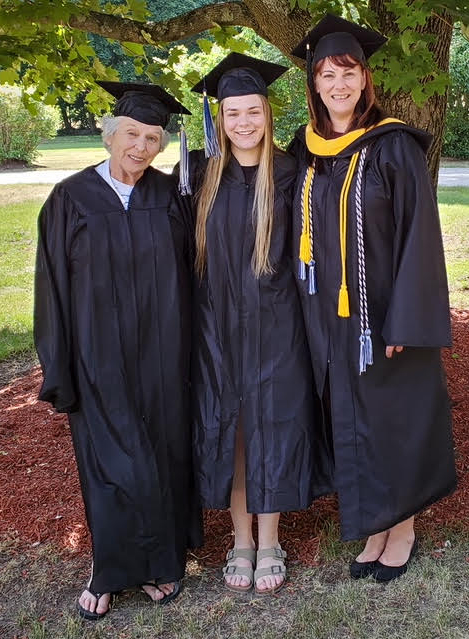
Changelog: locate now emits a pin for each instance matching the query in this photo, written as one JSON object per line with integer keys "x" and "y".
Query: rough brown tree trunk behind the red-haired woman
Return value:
{"x": 431, "y": 116}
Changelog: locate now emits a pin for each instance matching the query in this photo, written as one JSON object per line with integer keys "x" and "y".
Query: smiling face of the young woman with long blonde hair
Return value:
{"x": 244, "y": 124}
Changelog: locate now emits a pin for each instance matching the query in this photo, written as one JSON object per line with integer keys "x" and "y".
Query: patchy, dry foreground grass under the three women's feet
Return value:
{"x": 429, "y": 602}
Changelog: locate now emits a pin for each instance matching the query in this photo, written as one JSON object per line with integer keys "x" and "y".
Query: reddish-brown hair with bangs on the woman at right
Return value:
{"x": 367, "y": 110}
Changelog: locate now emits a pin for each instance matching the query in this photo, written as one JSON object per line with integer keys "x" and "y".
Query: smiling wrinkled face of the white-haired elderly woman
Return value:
{"x": 133, "y": 147}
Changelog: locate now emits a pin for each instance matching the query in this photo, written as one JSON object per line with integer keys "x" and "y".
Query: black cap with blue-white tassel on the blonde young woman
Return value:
{"x": 235, "y": 75}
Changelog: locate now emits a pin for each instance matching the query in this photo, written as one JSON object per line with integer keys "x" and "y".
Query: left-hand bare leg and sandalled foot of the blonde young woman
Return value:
{"x": 242, "y": 520}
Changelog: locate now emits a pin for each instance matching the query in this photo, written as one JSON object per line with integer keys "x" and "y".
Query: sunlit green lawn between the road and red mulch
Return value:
{"x": 18, "y": 213}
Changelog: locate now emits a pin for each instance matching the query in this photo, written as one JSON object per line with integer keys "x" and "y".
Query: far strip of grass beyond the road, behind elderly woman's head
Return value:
{"x": 77, "y": 152}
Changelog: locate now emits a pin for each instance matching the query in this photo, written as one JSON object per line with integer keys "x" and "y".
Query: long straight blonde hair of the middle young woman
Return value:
{"x": 263, "y": 206}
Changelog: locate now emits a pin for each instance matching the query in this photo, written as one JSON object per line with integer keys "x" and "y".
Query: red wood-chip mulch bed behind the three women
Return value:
{"x": 40, "y": 498}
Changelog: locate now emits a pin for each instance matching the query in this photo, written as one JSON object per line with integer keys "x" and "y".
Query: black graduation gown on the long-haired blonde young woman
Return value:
{"x": 250, "y": 358}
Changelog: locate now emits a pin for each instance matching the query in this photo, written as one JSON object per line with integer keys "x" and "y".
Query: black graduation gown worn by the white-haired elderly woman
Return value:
{"x": 112, "y": 330}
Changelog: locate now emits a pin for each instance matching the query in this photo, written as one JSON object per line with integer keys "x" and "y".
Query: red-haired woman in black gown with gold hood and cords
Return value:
{"x": 372, "y": 281}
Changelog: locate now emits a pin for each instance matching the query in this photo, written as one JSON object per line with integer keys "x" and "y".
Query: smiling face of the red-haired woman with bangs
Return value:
{"x": 340, "y": 89}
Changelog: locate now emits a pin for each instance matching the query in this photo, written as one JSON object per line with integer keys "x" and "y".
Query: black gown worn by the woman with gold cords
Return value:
{"x": 391, "y": 426}
